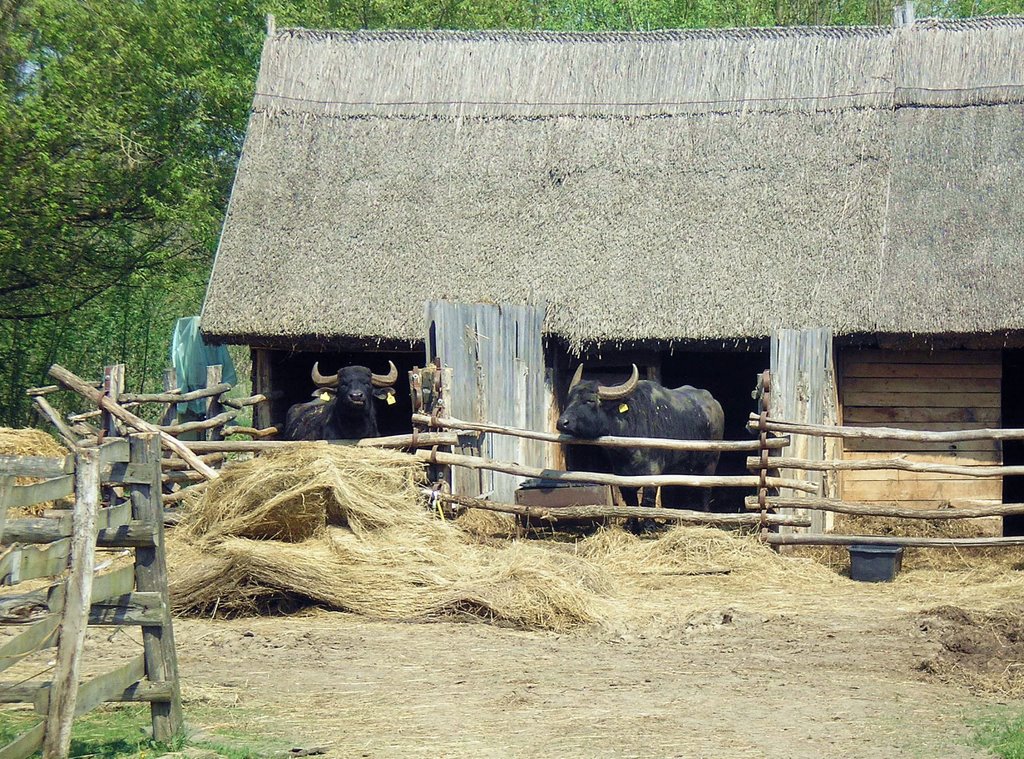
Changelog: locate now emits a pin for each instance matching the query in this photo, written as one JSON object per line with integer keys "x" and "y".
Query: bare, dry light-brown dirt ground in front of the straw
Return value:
{"x": 852, "y": 677}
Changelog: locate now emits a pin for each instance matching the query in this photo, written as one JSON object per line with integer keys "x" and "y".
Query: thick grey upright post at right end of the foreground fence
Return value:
{"x": 151, "y": 576}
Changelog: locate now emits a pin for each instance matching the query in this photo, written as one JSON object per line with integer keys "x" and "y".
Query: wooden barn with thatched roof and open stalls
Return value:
{"x": 842, "y": 205}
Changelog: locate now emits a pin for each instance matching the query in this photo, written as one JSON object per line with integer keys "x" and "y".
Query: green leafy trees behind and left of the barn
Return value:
{"x": 121, "y": 123}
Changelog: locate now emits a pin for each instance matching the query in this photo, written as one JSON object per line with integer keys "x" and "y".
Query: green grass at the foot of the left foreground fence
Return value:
{"x": 118, "y": 732}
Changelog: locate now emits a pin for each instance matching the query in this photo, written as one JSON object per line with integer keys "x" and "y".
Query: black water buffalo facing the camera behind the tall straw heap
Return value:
{"x": 346, "y": 409}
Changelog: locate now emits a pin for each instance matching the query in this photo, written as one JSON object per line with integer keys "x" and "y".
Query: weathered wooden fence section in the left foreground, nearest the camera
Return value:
{"x": 116, "y": 487}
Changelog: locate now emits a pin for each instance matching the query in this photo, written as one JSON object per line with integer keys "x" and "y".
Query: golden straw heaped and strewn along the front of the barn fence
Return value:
{"x": 350, "y": 529}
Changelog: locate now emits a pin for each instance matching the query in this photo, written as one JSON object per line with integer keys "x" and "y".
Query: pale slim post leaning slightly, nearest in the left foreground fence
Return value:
{"x": 74, "y": 621}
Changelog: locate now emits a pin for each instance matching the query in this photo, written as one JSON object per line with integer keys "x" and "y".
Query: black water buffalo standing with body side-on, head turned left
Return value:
{"x": 643, "y": 409}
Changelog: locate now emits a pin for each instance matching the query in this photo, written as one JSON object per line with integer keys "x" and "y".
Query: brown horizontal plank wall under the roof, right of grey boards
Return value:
{"x": 927, "y": 391}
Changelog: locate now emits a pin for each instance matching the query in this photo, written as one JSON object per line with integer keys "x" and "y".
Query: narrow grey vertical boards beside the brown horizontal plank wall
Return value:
{"x": 803, "y": 390}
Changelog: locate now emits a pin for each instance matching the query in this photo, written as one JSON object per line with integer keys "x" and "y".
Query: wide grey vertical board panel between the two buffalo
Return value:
{"x": 497, "y": 358}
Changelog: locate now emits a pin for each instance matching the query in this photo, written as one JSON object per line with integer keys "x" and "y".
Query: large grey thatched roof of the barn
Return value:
{"x": 647, "y": 187}
